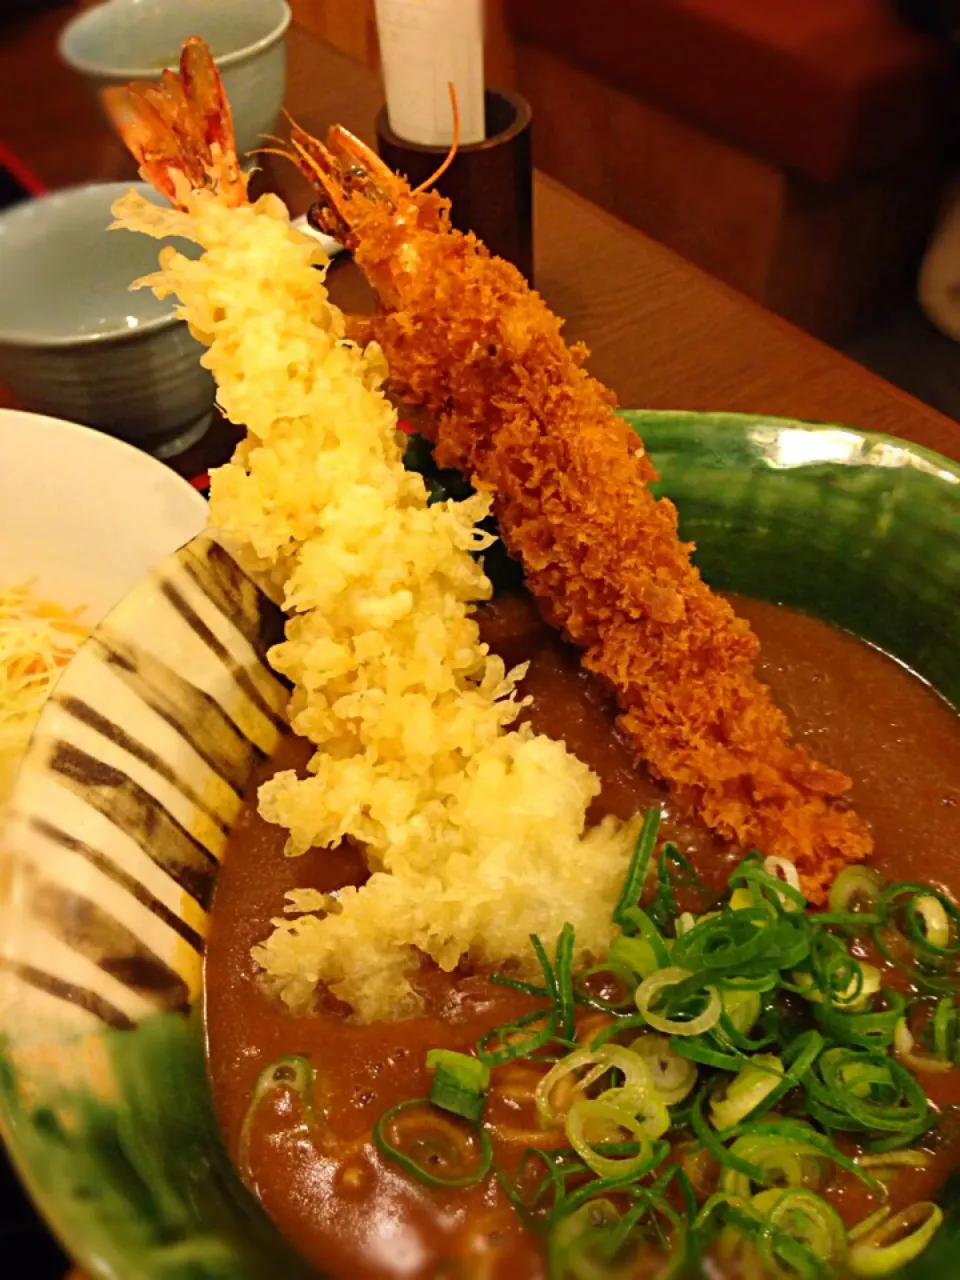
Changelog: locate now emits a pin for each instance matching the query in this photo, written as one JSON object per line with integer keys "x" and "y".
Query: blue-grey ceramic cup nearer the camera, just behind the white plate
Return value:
{"x": 77, "y": 344}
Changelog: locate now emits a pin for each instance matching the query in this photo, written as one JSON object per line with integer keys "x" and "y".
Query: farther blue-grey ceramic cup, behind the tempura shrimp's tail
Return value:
{"x": 126, "y": 40}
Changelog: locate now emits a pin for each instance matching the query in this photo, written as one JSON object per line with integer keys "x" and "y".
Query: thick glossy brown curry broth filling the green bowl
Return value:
{"x": 353, "y": 1213}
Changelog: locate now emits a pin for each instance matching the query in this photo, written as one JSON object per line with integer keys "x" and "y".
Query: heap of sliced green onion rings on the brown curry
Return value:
{"x": 720, "y": 1046}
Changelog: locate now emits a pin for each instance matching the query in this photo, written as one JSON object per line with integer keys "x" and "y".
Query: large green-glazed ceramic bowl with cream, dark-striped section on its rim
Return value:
{"x": 132, "y": 783}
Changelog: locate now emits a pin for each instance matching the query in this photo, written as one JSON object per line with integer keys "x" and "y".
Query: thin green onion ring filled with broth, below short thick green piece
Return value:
{"x": 433, "y": 1146}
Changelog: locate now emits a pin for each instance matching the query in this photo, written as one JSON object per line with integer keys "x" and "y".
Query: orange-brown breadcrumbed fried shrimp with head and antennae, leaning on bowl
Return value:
{"x": 515, "y": 412}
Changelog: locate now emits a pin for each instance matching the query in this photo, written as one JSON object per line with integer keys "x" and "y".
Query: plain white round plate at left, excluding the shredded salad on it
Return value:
{"x": 84, "y": 514}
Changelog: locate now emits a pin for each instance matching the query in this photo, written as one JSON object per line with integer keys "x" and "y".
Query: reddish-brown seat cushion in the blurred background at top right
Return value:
{"x": 831, "y": 89}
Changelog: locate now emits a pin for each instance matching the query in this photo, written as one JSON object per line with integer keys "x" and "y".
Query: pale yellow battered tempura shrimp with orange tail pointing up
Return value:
{"x": 476, "y": 834}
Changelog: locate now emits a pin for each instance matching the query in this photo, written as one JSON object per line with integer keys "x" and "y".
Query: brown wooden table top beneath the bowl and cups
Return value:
{"x": 662, "y": 333}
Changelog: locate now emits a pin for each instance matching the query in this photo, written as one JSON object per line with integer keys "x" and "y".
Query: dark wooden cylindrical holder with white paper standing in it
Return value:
{"x": 490, "y": 184}
